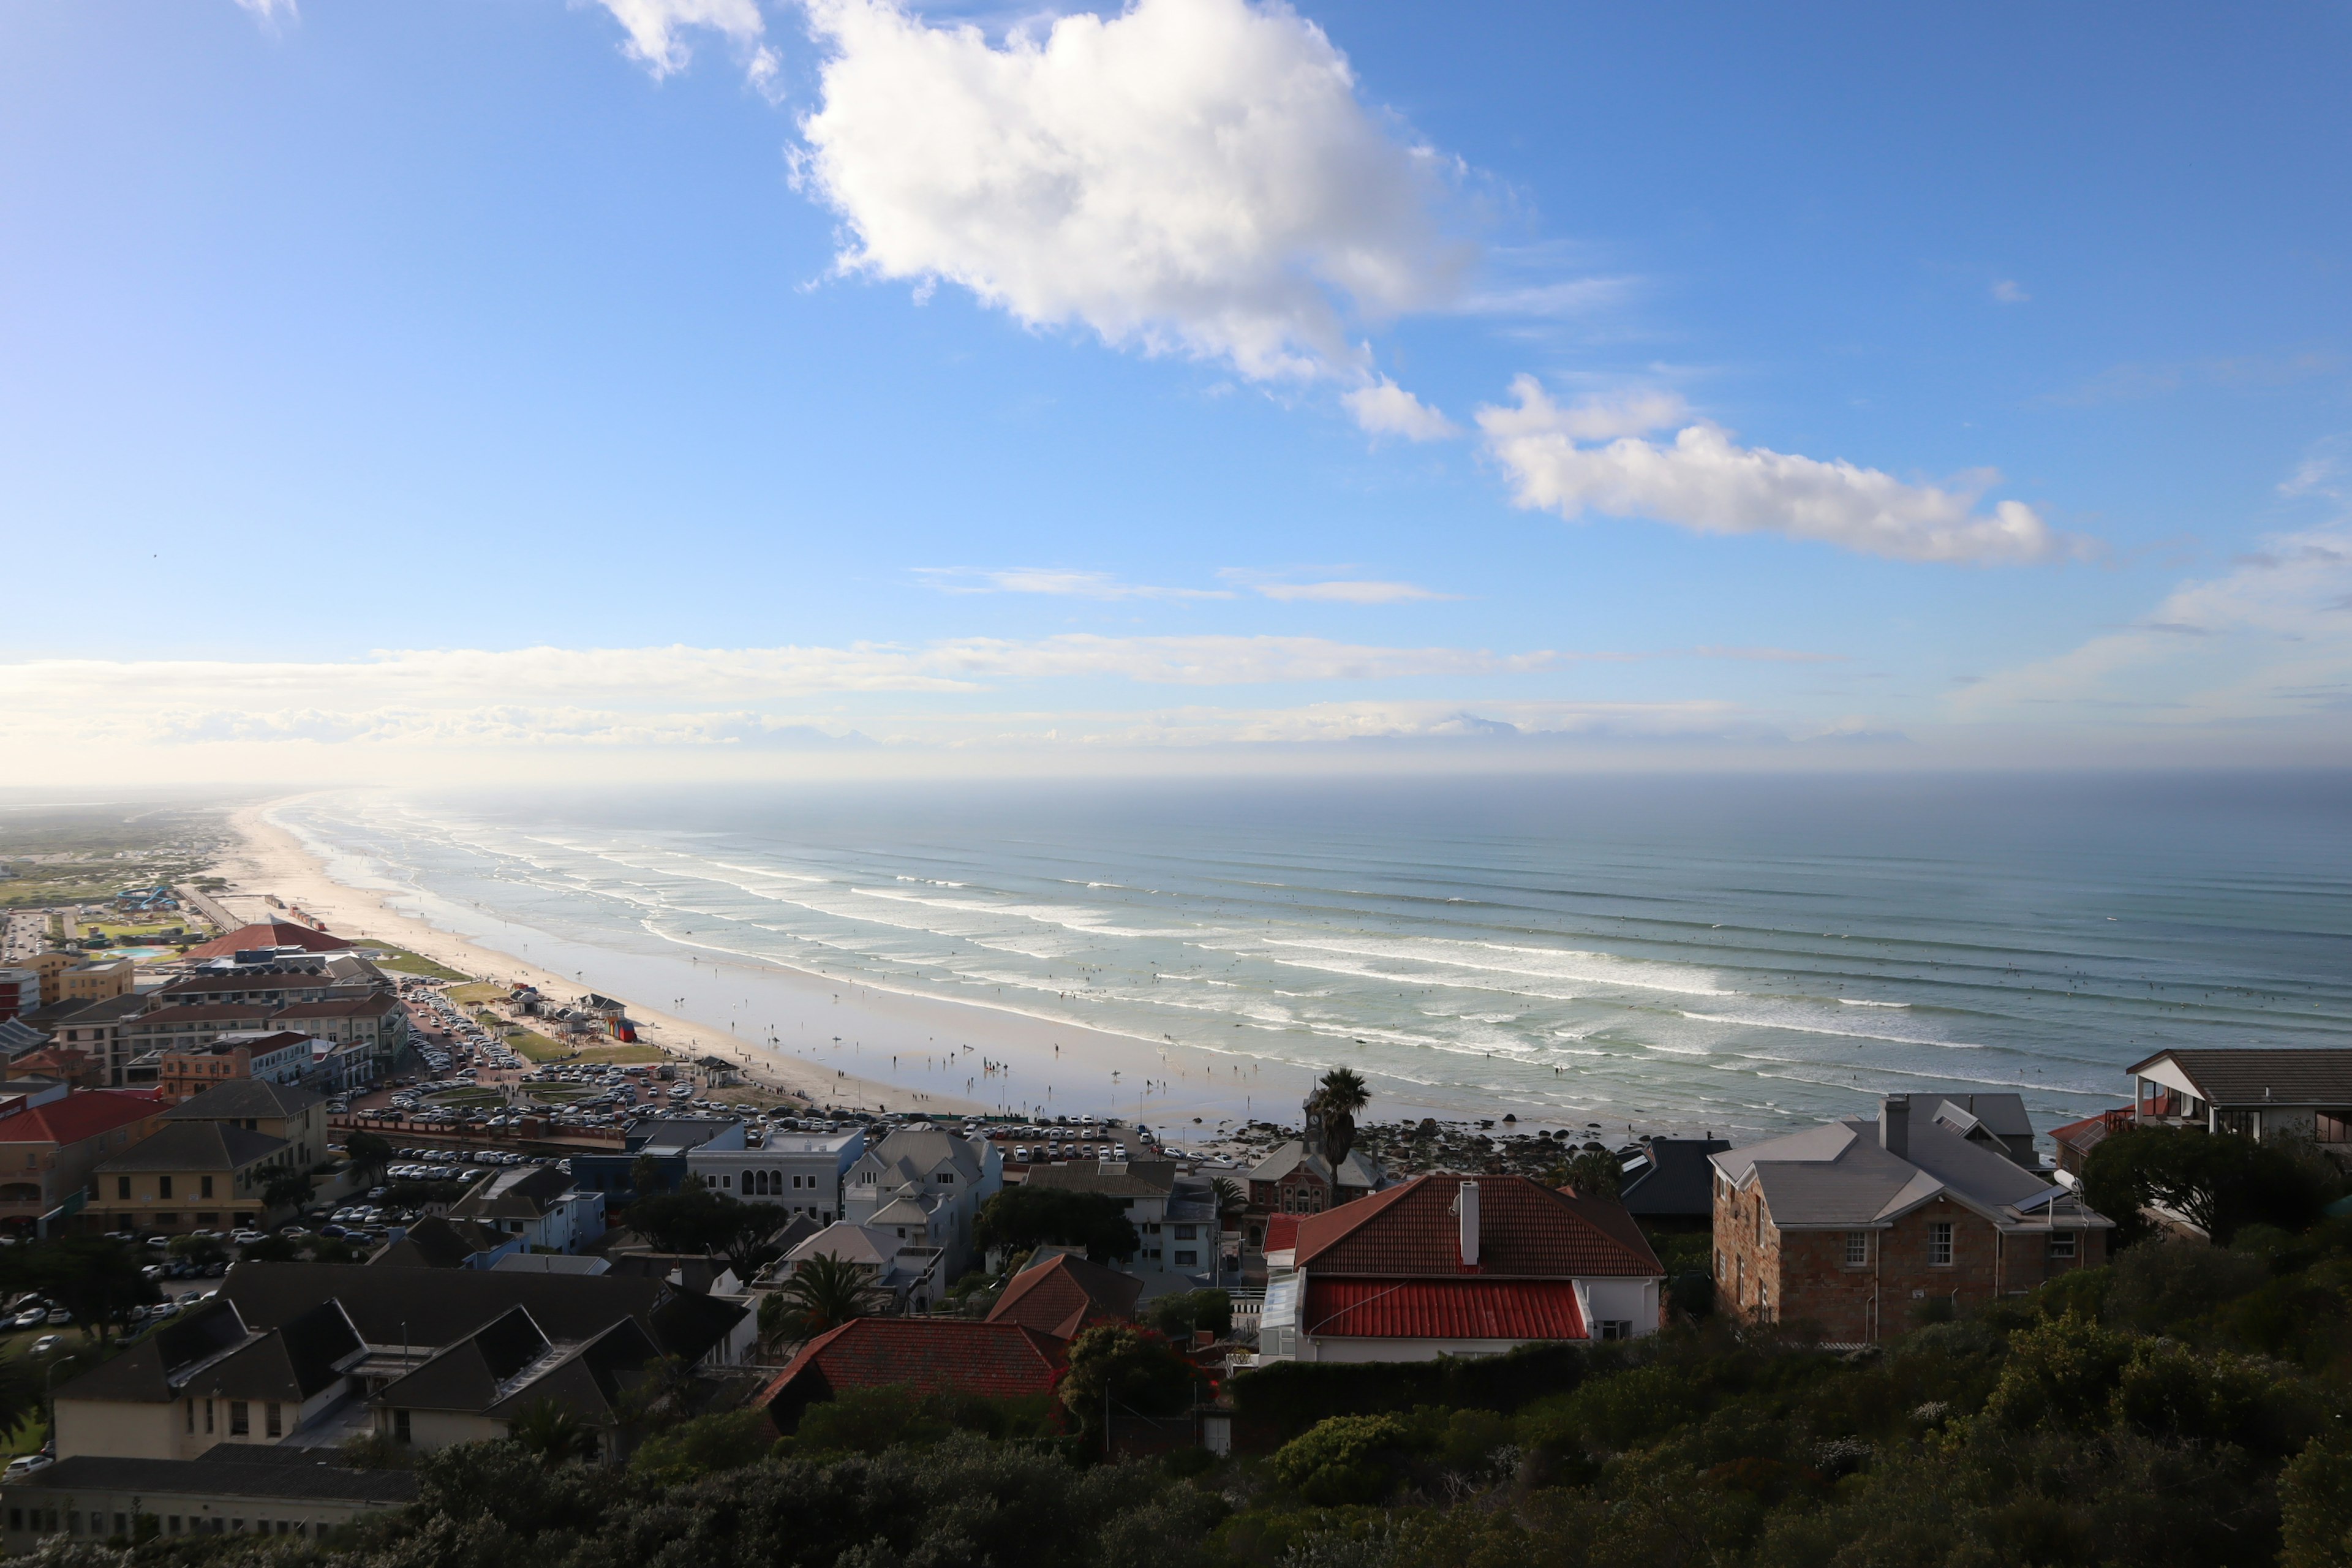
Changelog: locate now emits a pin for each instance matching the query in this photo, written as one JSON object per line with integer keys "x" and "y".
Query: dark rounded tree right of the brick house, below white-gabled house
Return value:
{"x": 2214, "y": 1181}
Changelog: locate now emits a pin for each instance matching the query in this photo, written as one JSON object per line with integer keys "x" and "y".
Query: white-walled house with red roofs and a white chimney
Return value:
{"x": 1455, "y": 1266}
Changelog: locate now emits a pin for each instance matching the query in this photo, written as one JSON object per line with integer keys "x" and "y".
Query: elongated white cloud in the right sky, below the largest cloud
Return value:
{"x": 1706, "y": 483}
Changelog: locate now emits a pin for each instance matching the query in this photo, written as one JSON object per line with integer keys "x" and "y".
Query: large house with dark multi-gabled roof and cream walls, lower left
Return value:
{"x": 305, "y": 1353}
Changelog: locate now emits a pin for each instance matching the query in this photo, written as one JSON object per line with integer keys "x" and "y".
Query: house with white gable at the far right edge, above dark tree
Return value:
{"x": 2252, "y": 1092}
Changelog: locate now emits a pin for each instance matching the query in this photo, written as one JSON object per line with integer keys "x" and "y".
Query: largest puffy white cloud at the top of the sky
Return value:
{"x": 1184, "y": 177}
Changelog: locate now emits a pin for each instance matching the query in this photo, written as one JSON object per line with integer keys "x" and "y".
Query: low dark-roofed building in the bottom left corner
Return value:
{"x": 288, "y": 1494}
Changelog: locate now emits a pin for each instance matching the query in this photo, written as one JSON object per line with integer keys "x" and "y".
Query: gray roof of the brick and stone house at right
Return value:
{"x": 1840, "y": 1179}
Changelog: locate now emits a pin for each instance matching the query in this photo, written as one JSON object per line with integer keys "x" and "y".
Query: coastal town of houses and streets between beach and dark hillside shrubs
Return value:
{"x": 309, "y": 1209}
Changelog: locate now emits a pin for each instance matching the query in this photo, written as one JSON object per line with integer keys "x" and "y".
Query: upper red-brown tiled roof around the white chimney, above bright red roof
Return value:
{"x": 1525, "y": 1233}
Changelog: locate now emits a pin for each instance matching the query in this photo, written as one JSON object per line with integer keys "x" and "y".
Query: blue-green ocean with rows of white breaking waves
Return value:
{"x": 1676, "y": 953}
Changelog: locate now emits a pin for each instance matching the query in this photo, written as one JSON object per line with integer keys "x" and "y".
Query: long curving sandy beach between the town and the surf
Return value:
{"x": 817, "y": 1036}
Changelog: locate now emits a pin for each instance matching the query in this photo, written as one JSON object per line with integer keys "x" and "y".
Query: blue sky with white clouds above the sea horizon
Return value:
{"x": 740, "y": 387}
